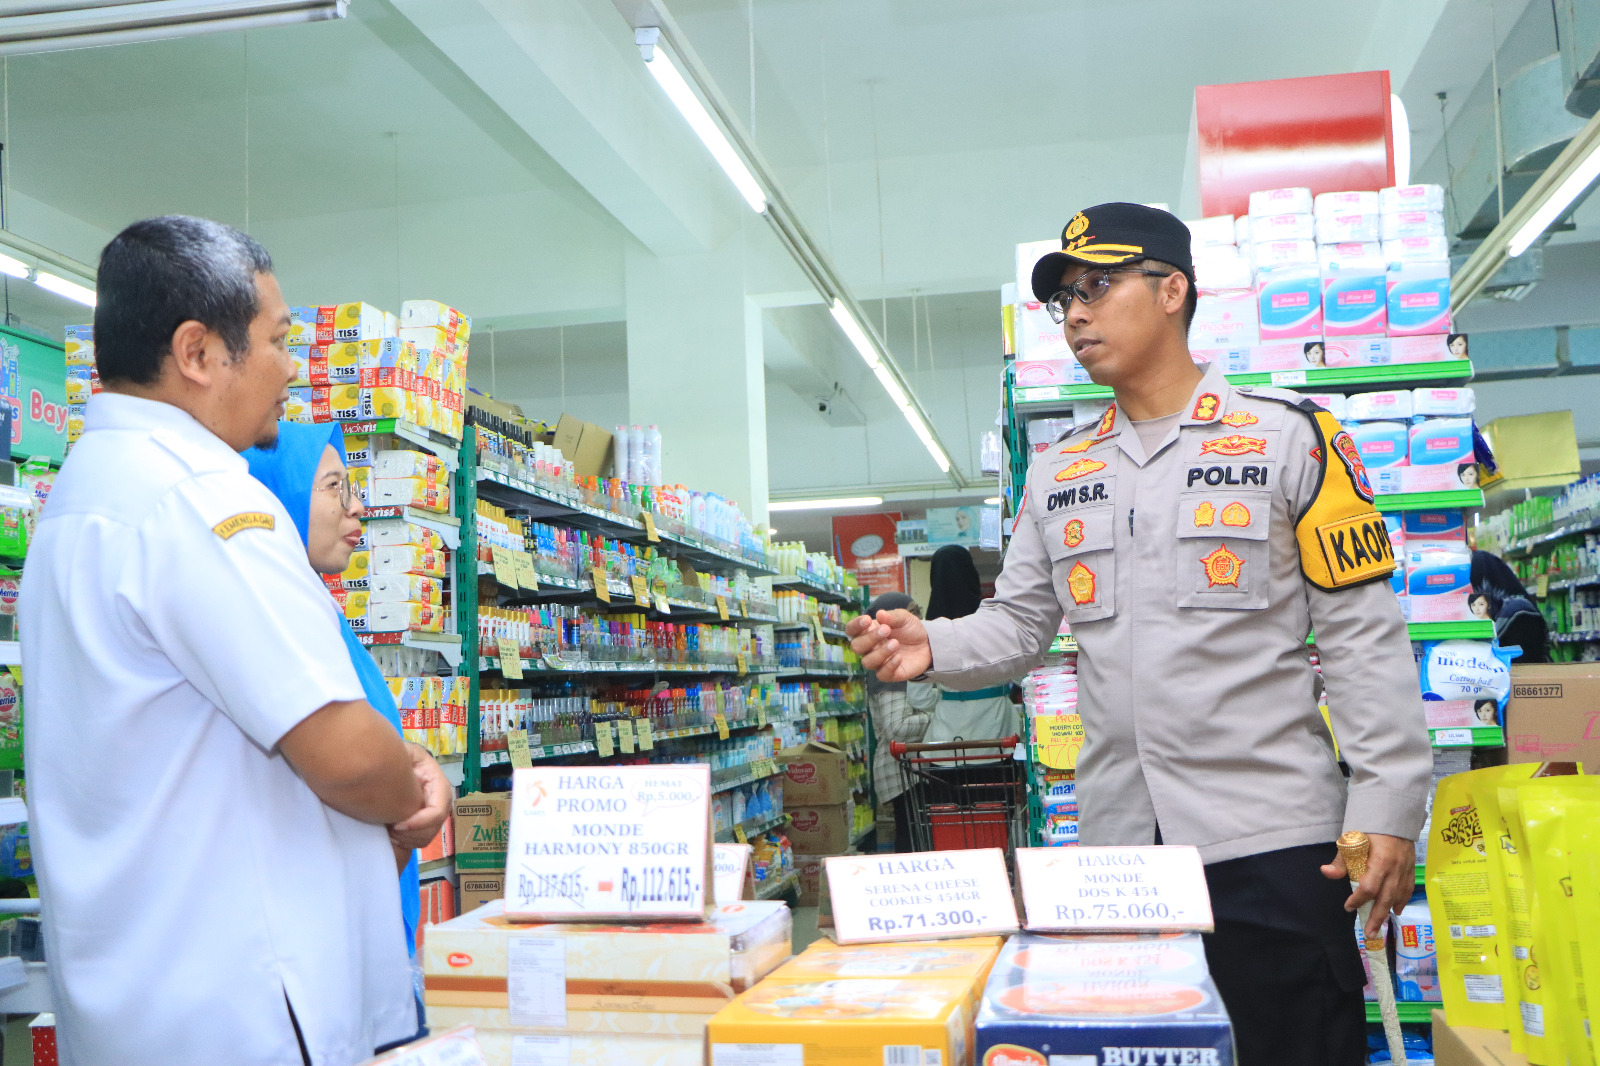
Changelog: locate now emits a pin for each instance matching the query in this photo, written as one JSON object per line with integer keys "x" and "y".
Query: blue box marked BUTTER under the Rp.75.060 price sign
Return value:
{"x": 1102, "y": 1000}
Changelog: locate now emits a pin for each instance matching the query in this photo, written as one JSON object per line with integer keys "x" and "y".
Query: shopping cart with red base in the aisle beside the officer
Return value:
{"x": 964, "y": 795}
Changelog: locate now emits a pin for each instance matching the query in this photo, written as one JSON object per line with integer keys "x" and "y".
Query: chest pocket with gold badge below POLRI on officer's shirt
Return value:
{"x": 1223, "y": 548}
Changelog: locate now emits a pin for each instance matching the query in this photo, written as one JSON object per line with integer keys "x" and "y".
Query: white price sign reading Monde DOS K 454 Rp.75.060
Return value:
{"x": 1114, "y": 891}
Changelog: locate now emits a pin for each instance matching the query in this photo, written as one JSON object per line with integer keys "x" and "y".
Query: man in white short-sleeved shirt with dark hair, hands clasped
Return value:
{"x": 209, "y": 791}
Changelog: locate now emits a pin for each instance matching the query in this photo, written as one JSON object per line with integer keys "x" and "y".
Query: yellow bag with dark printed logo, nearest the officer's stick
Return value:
{"x": 1468, "y": 910}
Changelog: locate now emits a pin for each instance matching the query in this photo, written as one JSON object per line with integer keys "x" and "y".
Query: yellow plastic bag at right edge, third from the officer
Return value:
{"x": 1551, "y": 808}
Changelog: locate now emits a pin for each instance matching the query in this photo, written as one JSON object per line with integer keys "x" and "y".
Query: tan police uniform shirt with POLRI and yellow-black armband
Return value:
{"x": 1182, "y": 577}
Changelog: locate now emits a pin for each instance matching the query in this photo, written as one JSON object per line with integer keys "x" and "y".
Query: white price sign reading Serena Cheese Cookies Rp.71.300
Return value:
{"x": 921, "y": 897}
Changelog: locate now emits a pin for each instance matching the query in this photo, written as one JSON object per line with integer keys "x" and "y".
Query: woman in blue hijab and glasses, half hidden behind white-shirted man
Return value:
{"x": 306, "y": 473}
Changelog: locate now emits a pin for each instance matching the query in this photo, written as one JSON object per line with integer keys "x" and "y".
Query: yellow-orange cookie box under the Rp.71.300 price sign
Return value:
{"x": 850, "y": 1022}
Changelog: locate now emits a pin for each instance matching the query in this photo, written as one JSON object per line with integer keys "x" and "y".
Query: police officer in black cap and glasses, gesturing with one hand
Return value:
{"x": 1194, "y": 537}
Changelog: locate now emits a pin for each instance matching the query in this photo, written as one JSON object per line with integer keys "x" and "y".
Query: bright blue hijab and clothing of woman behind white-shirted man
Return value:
{"x": 290, "y": 471}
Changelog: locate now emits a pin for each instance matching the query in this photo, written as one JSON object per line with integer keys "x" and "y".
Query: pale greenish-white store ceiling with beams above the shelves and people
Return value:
{"x": 510, "y": 156}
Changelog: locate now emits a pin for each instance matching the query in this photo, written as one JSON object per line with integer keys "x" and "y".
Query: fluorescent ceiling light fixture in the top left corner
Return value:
{"x": 58, "y": 25}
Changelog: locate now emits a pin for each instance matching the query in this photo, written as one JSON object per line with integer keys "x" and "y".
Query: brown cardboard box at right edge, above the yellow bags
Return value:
{"x": 1554, "y": 715}
